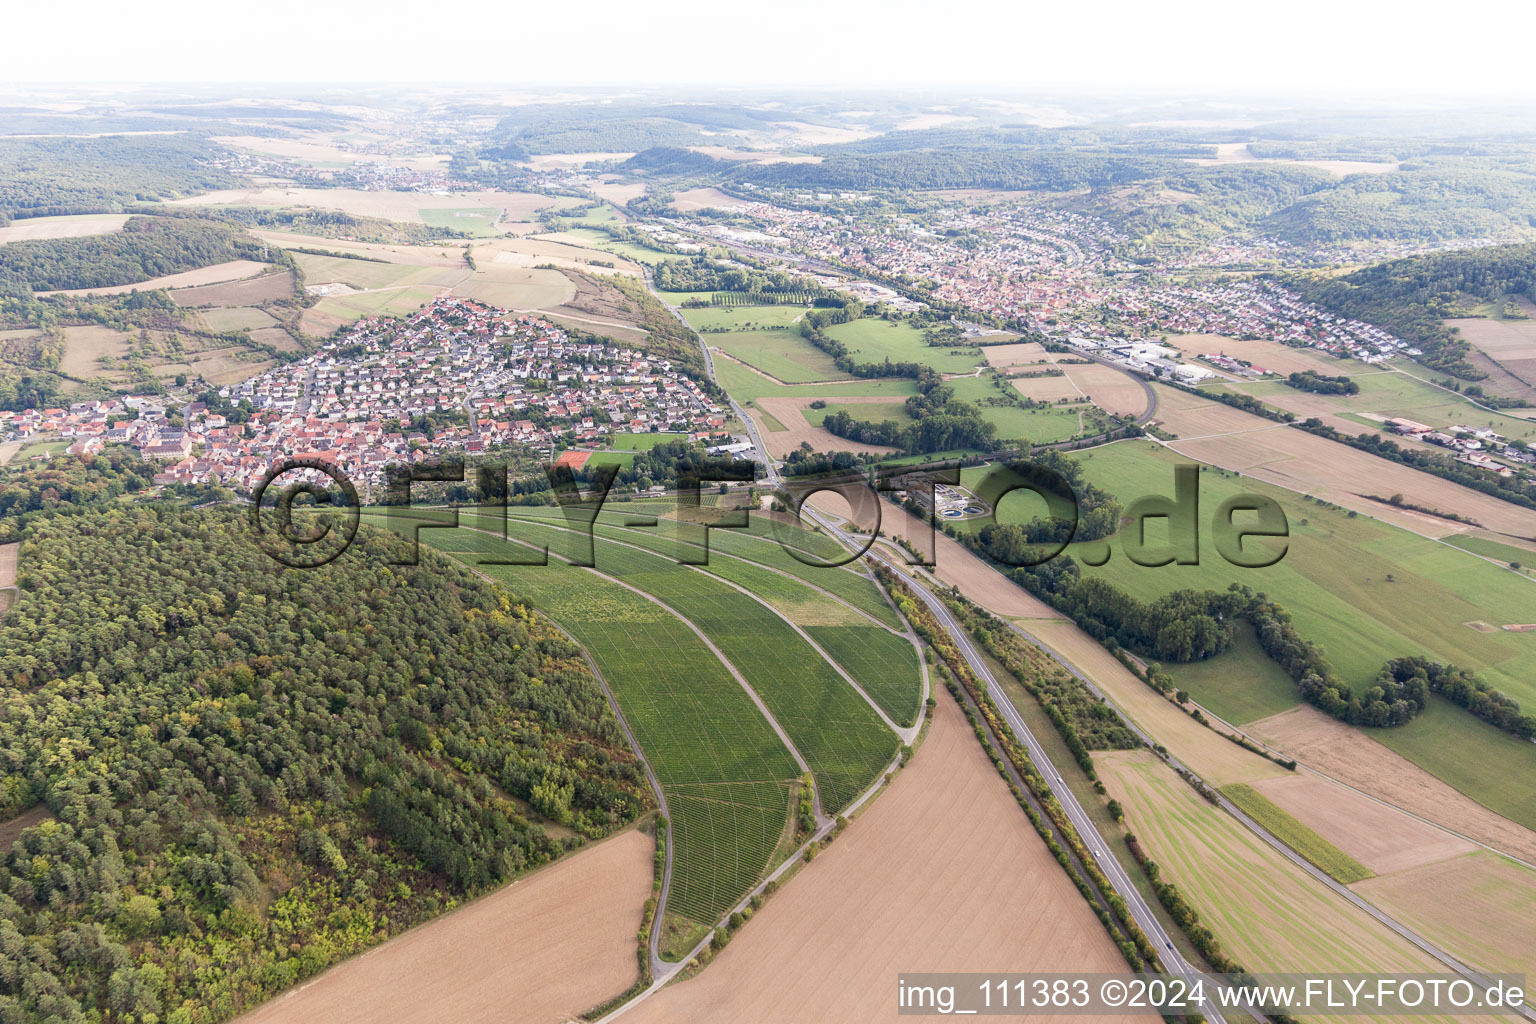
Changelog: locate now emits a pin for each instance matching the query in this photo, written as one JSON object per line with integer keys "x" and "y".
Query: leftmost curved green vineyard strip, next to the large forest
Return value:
{"x": 713, "y": 865}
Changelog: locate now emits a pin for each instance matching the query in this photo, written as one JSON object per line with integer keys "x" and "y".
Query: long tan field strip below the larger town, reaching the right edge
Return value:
{"x": 1234, "y": 440}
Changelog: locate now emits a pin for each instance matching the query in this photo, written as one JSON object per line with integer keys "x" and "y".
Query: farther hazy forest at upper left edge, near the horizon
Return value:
{"x": 70, "y": 176}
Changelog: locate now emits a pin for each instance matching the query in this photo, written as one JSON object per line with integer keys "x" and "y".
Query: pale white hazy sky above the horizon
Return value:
{"x": 1234, "y": 47}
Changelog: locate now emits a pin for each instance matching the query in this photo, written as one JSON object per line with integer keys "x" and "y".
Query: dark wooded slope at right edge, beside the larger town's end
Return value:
{"x": 1412, "y": 297}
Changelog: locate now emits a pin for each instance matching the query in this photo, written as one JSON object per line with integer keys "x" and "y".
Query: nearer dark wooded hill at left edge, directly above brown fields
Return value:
{"x": 147, "y": 248}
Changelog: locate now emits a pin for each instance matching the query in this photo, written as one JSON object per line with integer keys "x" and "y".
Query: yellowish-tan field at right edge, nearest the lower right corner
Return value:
{"x": 1481, "y": 908}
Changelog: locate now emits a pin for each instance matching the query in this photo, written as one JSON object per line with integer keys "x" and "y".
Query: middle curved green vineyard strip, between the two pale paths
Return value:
{"x": 836, "y": 727}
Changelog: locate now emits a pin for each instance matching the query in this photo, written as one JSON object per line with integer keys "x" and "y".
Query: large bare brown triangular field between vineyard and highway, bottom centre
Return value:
{"x": 913, "y": 885}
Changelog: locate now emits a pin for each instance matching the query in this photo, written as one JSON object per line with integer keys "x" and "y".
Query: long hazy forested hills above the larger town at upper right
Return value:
{"x": 1170, "y": 202}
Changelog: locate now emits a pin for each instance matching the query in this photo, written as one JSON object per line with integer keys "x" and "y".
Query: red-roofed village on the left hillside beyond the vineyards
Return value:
{"x": 457, "y": 377}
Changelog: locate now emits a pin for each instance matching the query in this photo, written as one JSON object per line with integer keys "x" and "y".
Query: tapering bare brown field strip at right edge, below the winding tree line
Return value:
{"x": 1357, "y": 761}
